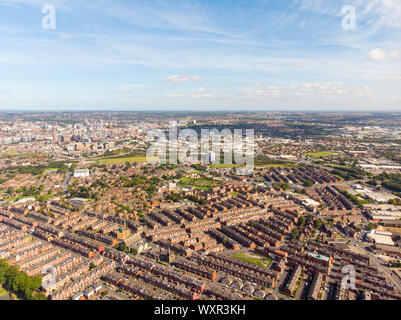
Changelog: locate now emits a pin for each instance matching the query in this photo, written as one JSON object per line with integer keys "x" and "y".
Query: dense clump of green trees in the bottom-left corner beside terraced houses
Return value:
{"x": 19, "y": 283}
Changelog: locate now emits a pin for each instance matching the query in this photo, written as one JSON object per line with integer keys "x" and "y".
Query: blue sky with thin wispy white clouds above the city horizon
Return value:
{"x": 200, "y": 55}
